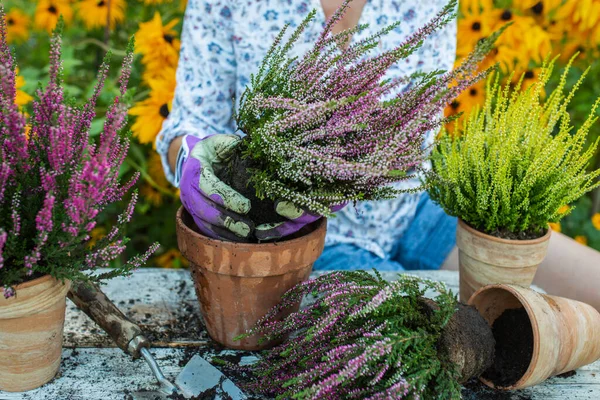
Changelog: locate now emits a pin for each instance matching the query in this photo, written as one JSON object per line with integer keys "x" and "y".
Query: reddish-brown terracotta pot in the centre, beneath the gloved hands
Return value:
{"x": 237, "y": 283}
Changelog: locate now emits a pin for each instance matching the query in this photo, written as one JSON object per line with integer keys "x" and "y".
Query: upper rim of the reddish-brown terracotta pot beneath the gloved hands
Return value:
{"x": 320, "y": 225}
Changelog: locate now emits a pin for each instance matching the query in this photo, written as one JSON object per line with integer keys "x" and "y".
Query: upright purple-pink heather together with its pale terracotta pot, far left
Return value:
{"x": 54, "y": 181}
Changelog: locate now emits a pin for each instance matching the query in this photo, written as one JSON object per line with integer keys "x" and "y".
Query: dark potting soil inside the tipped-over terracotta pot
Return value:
{"x": 514, "y": 347}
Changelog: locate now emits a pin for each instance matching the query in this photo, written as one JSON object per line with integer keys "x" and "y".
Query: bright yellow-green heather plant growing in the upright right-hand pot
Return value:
{"x": 518, "y": 161}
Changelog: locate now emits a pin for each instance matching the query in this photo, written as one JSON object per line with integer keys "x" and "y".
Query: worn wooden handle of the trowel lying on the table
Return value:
{"x": 92, "y": 301}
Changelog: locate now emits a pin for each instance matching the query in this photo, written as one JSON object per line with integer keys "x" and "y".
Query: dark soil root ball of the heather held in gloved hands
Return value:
{"x": 236, "y": 174}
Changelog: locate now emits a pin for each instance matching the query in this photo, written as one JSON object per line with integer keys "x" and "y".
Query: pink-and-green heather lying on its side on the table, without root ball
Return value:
{"x": 363, "y": 338}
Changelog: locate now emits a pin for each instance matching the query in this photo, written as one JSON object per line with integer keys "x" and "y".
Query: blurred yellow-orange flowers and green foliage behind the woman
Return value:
{"x": 539, "y": 28}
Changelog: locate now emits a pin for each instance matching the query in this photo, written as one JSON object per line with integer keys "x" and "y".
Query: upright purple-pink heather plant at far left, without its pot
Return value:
{"x": 55, "y": 179}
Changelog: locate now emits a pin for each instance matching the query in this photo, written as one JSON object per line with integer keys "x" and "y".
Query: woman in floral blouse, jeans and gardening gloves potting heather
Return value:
{"x": 223, "y": 42}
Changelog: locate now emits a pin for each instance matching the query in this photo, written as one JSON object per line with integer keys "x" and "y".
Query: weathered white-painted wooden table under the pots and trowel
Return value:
{"x": 163, "y": 302}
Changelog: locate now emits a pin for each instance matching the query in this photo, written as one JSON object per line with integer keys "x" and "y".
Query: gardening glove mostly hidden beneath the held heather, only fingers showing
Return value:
{"x": 297, "y": 218}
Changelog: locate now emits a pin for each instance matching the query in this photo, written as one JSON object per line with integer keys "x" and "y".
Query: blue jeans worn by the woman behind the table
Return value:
{"x": 425, "y": 245}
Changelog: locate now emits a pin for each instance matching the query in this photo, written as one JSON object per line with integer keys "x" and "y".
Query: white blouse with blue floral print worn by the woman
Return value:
{"x": 224, "y": 41}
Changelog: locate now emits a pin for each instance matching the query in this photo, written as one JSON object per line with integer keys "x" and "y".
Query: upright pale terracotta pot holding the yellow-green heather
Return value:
{"x": 485, "y": 259}
